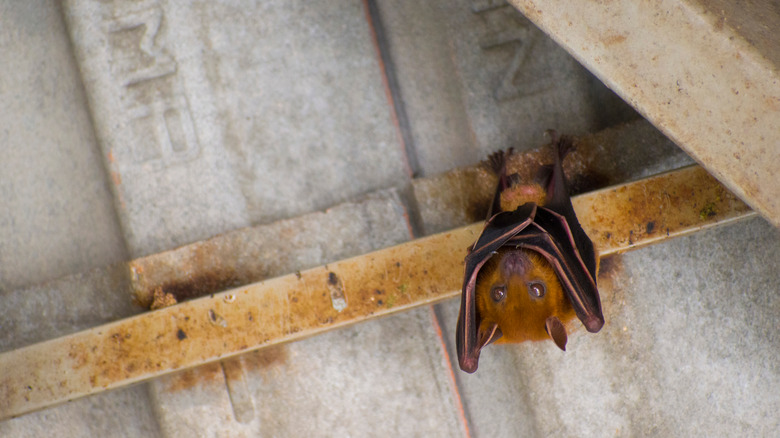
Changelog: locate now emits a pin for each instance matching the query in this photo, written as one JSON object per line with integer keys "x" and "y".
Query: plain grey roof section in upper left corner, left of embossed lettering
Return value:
{"x": 56, "y": 210}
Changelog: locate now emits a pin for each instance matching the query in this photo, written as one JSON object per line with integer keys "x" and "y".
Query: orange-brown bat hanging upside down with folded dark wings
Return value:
{"x": 531, "y": 270}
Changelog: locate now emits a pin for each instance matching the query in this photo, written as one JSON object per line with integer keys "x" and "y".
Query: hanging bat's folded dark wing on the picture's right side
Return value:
{"x": 549, "y": 236}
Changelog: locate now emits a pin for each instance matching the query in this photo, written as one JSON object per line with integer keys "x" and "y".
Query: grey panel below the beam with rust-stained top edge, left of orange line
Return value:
{"x": 385, "y": 378}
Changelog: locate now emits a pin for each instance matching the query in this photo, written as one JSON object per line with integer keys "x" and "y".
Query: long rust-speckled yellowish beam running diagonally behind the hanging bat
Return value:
{"x": 303, "y": 304}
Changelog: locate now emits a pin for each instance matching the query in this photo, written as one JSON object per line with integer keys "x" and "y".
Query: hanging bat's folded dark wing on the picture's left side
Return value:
{"x": 498, "y": 230}
